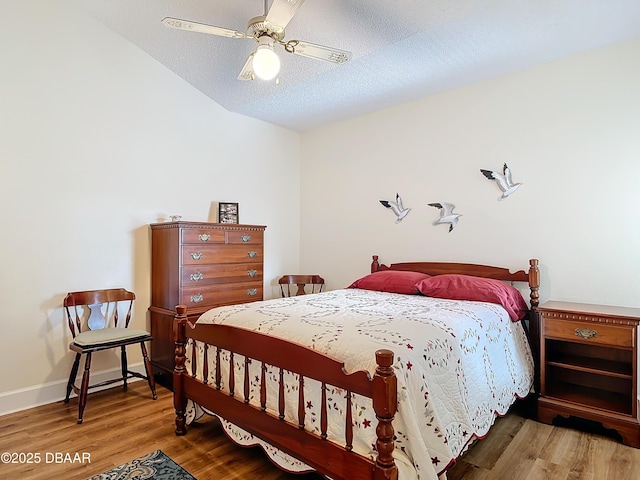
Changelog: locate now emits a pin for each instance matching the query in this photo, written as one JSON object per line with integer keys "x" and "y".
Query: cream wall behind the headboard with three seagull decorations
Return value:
{"x": 569, "y": 130}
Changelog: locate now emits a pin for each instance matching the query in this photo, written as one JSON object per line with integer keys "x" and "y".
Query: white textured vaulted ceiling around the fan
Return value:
{"x": 402, "y": 49}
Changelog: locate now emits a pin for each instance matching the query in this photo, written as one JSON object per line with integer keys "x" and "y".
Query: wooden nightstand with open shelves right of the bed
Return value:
{"x": 589, "y": 365}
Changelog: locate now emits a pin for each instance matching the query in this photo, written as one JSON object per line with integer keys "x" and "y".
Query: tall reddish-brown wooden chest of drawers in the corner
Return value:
{"x": 200, "y": 265}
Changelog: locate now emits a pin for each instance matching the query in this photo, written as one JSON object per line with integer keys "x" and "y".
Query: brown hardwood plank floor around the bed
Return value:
{"x": 120, "y": 426}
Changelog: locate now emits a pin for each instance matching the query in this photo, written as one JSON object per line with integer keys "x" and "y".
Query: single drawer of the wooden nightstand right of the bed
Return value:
{"x": 589, "y": 332}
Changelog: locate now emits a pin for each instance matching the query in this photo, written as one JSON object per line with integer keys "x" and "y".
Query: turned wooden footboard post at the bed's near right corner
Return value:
{"x": 385, "y": 404}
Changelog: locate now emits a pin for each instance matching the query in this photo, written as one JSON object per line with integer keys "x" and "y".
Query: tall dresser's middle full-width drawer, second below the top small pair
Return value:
{"x": 193, "y": 275}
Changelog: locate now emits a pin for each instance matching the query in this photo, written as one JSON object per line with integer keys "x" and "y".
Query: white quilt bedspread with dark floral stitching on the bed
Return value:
{"x": 458, "y": 364}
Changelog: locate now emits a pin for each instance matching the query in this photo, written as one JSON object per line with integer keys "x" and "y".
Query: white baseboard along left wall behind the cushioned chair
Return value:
{"x": 51, "y": 392}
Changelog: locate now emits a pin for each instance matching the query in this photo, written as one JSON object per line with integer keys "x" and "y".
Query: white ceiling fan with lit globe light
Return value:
{"x": 267, "y": 30}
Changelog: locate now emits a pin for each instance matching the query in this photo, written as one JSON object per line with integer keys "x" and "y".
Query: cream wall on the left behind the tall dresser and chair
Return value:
{"x": 97, "y": 140}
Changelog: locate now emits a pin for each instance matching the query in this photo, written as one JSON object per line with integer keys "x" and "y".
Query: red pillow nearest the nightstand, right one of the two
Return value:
{"x": 466, "y": 287}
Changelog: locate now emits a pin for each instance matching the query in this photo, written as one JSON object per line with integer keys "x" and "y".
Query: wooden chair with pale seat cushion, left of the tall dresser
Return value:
{"x": 103, "y": 334}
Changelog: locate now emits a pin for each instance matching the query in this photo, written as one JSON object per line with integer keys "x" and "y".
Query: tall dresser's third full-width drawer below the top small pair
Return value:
{"x": 223, "y": 294}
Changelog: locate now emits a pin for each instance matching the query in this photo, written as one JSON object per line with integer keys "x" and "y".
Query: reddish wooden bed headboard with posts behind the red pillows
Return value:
{"x": 532, "y": 276}
